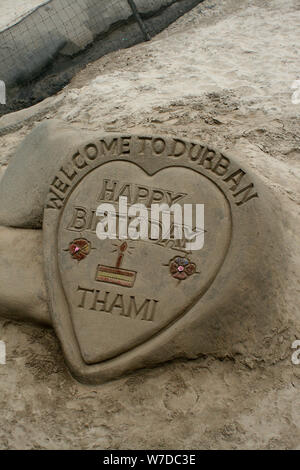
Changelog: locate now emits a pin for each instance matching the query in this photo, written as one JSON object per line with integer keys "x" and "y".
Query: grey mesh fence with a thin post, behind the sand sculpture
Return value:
{"x": 64, "y": 28}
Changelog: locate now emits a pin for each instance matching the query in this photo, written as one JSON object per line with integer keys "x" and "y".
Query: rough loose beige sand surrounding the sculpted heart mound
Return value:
{"x": 222, "y": 73}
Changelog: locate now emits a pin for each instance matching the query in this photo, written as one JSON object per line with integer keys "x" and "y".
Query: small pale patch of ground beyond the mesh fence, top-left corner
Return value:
{"x": 12, "y": 11}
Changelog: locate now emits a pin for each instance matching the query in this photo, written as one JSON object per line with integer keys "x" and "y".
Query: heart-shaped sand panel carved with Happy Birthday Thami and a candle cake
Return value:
{"x": 119, "y": 295}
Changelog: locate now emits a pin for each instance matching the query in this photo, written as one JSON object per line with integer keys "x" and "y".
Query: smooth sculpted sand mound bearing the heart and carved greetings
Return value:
{"x": 119, "y": 307}
